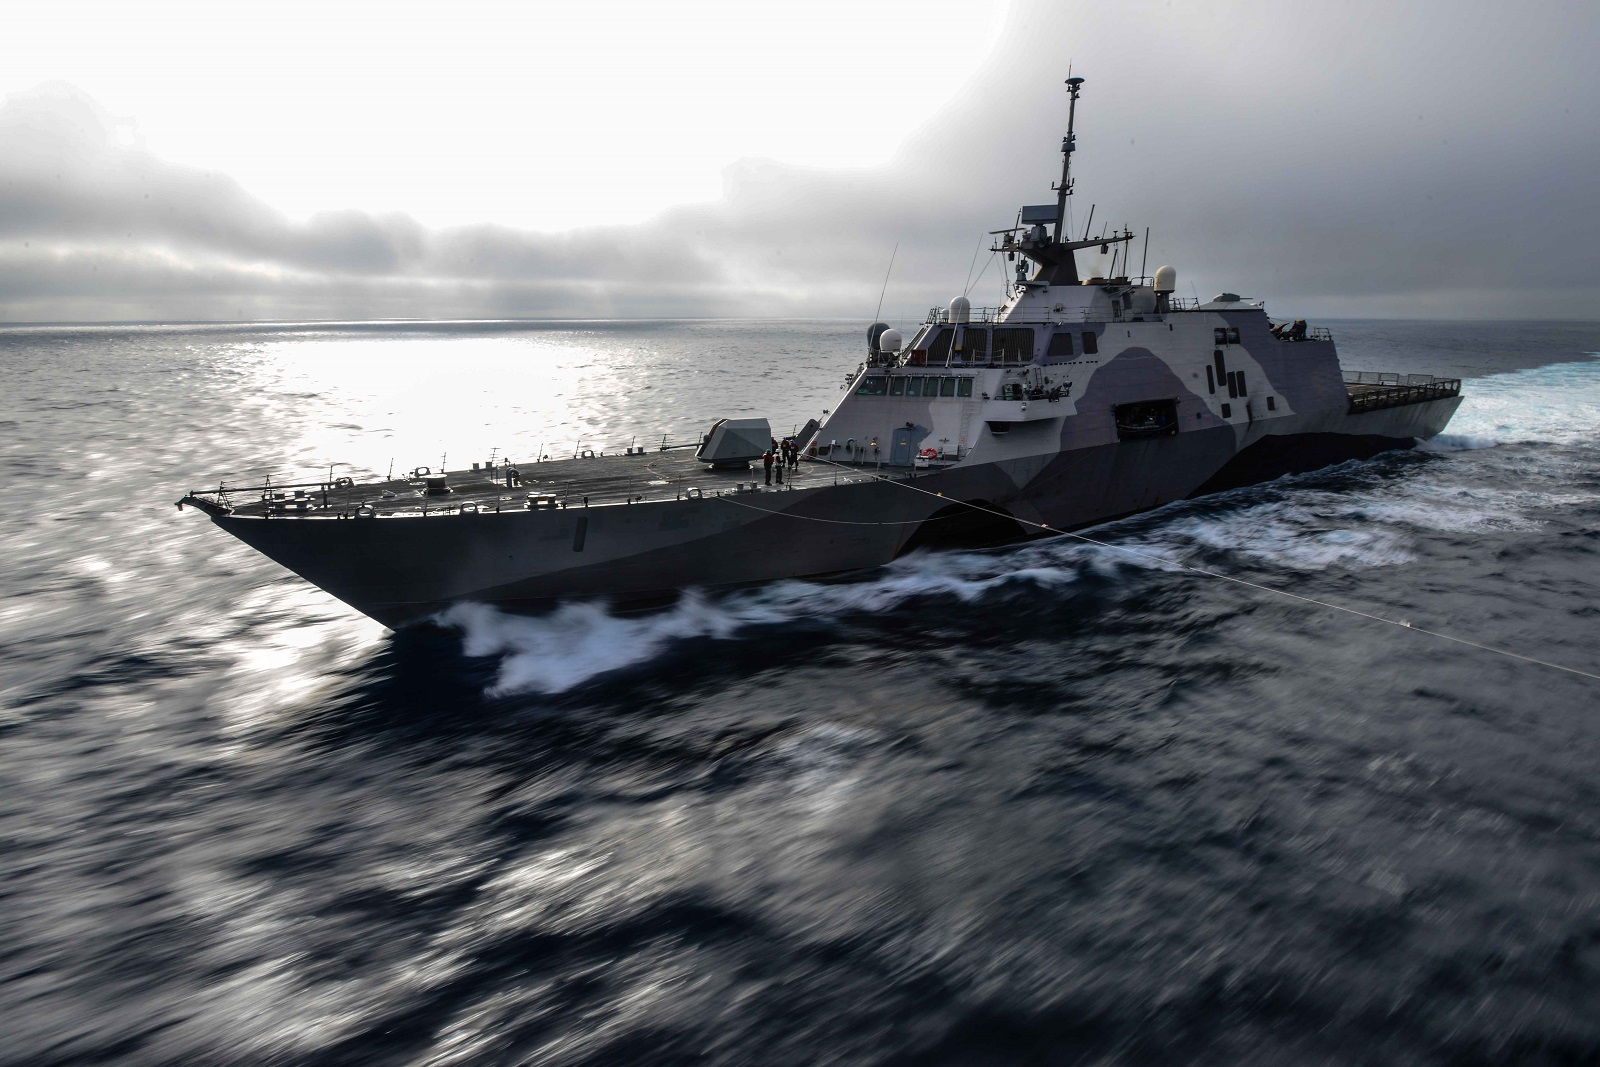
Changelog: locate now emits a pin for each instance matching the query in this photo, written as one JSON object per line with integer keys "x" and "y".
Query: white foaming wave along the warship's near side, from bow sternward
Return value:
{"x": 1308, "y": 532}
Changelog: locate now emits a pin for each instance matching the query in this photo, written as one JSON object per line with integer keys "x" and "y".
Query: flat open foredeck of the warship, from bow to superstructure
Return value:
{"x": 610, "y": 479}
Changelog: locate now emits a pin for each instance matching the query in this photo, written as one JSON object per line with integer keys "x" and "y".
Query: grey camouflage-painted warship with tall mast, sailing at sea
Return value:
{"x": 1074, "y": 402}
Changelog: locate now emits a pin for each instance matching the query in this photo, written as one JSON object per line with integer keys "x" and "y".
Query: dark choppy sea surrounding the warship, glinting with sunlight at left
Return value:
{"x": 1036, "y": 805}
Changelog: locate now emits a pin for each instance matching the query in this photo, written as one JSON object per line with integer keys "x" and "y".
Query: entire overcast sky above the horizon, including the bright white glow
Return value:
{"x": 314, "y": 161}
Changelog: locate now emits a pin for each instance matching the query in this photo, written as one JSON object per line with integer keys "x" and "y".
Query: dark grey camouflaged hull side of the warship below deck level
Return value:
{"x": 406, "y": 569}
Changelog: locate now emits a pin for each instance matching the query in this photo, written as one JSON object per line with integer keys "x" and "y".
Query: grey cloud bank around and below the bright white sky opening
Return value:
{"x": 1351, "y": 159}
